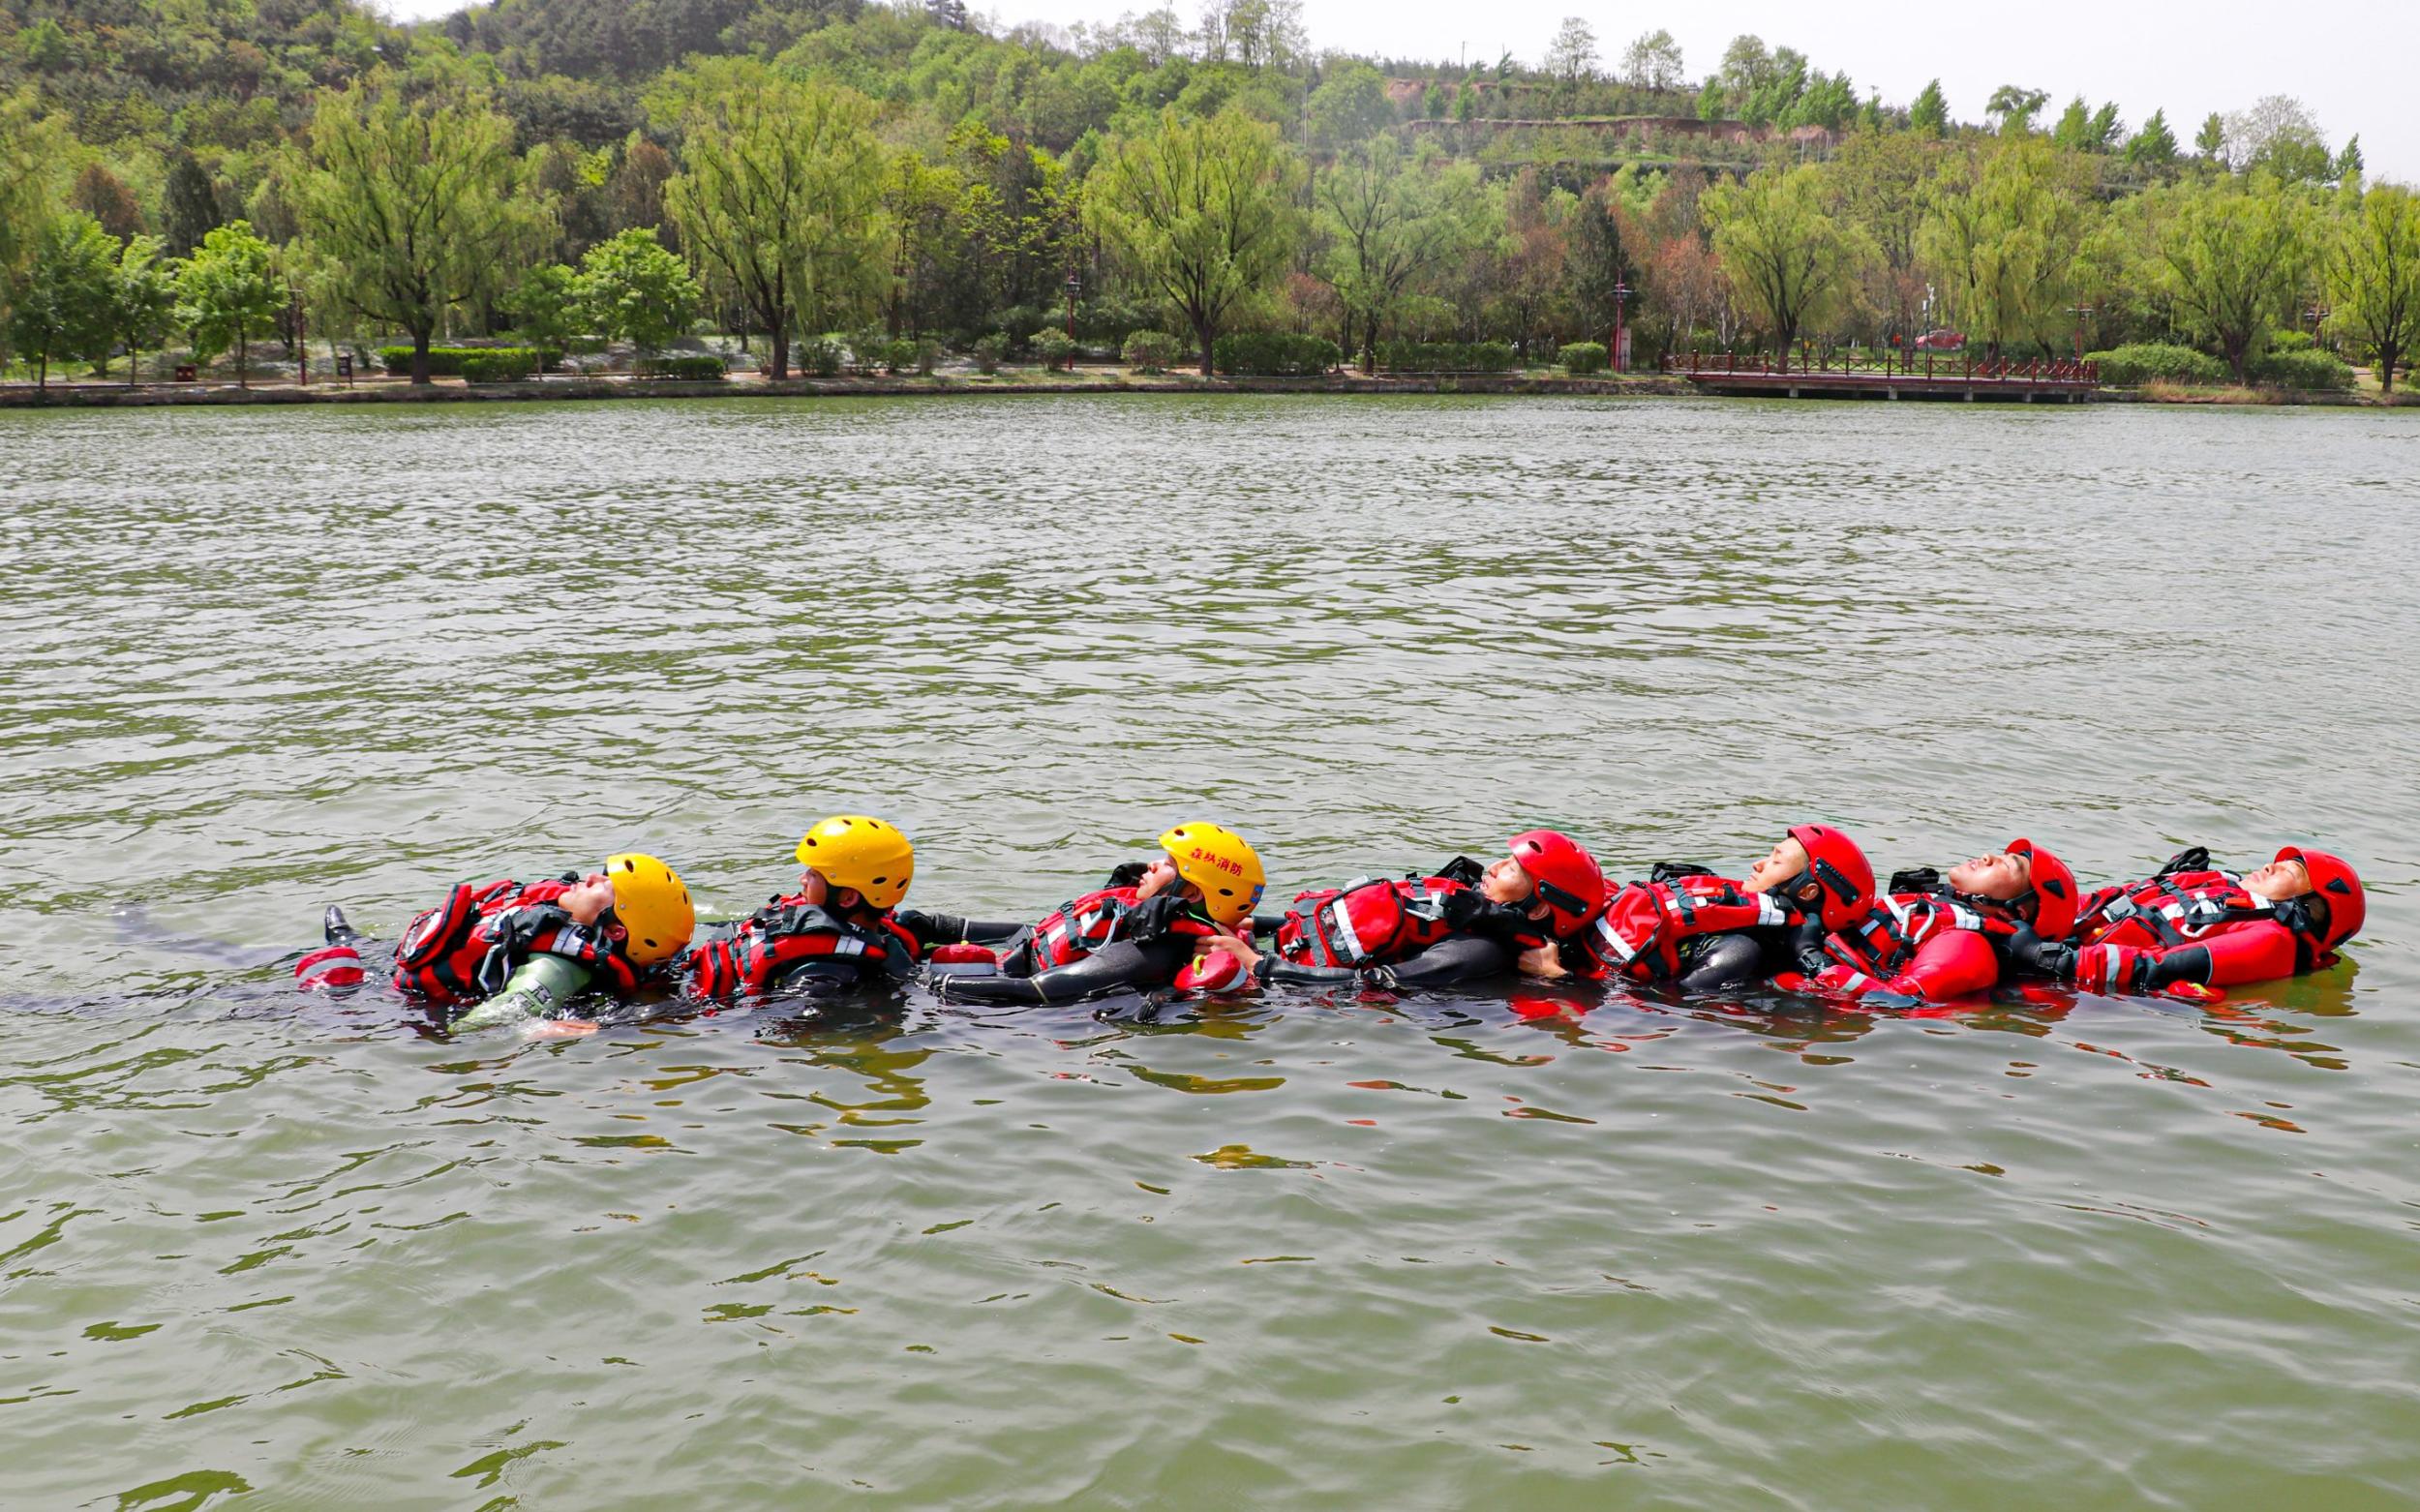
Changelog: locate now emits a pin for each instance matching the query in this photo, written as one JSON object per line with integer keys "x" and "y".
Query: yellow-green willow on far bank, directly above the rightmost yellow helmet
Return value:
{"x": 1204, "y": 212}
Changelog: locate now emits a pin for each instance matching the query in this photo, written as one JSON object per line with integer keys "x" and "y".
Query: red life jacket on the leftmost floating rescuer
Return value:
{"x": 468, "y": 947}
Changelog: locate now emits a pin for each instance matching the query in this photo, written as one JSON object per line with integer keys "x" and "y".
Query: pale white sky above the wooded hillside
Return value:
{"x": 2353, "y": 62}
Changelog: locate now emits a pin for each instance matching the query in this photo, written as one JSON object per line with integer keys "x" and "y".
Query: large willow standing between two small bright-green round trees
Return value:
{"x": 410, "y": 204}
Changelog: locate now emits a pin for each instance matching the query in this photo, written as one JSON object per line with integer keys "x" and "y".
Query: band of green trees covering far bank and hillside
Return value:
{"x": 894, "y": 171}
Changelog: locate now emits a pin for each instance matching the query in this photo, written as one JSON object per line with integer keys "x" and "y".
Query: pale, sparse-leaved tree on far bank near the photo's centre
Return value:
{"x": 1390, "y": 221}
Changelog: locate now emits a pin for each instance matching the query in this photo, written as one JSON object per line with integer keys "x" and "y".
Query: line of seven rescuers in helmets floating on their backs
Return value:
{"x": 1807, "y": 918}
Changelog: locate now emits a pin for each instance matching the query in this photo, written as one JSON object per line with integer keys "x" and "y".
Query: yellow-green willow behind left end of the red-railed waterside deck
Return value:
{"x": 1787, "y": 255}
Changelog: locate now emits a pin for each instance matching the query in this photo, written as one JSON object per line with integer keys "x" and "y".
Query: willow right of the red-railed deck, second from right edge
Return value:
{"x": 2232, "y": 262}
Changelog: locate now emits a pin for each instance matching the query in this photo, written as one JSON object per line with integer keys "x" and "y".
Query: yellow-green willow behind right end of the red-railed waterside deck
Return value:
{"x": 2005, "y": 241}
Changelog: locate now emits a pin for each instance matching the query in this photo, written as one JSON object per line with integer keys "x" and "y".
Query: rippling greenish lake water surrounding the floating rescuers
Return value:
{"x": 1308, "y": 1252}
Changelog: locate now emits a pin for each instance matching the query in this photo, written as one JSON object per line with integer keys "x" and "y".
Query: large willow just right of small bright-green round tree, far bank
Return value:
{"x": 783, "y": 195}
